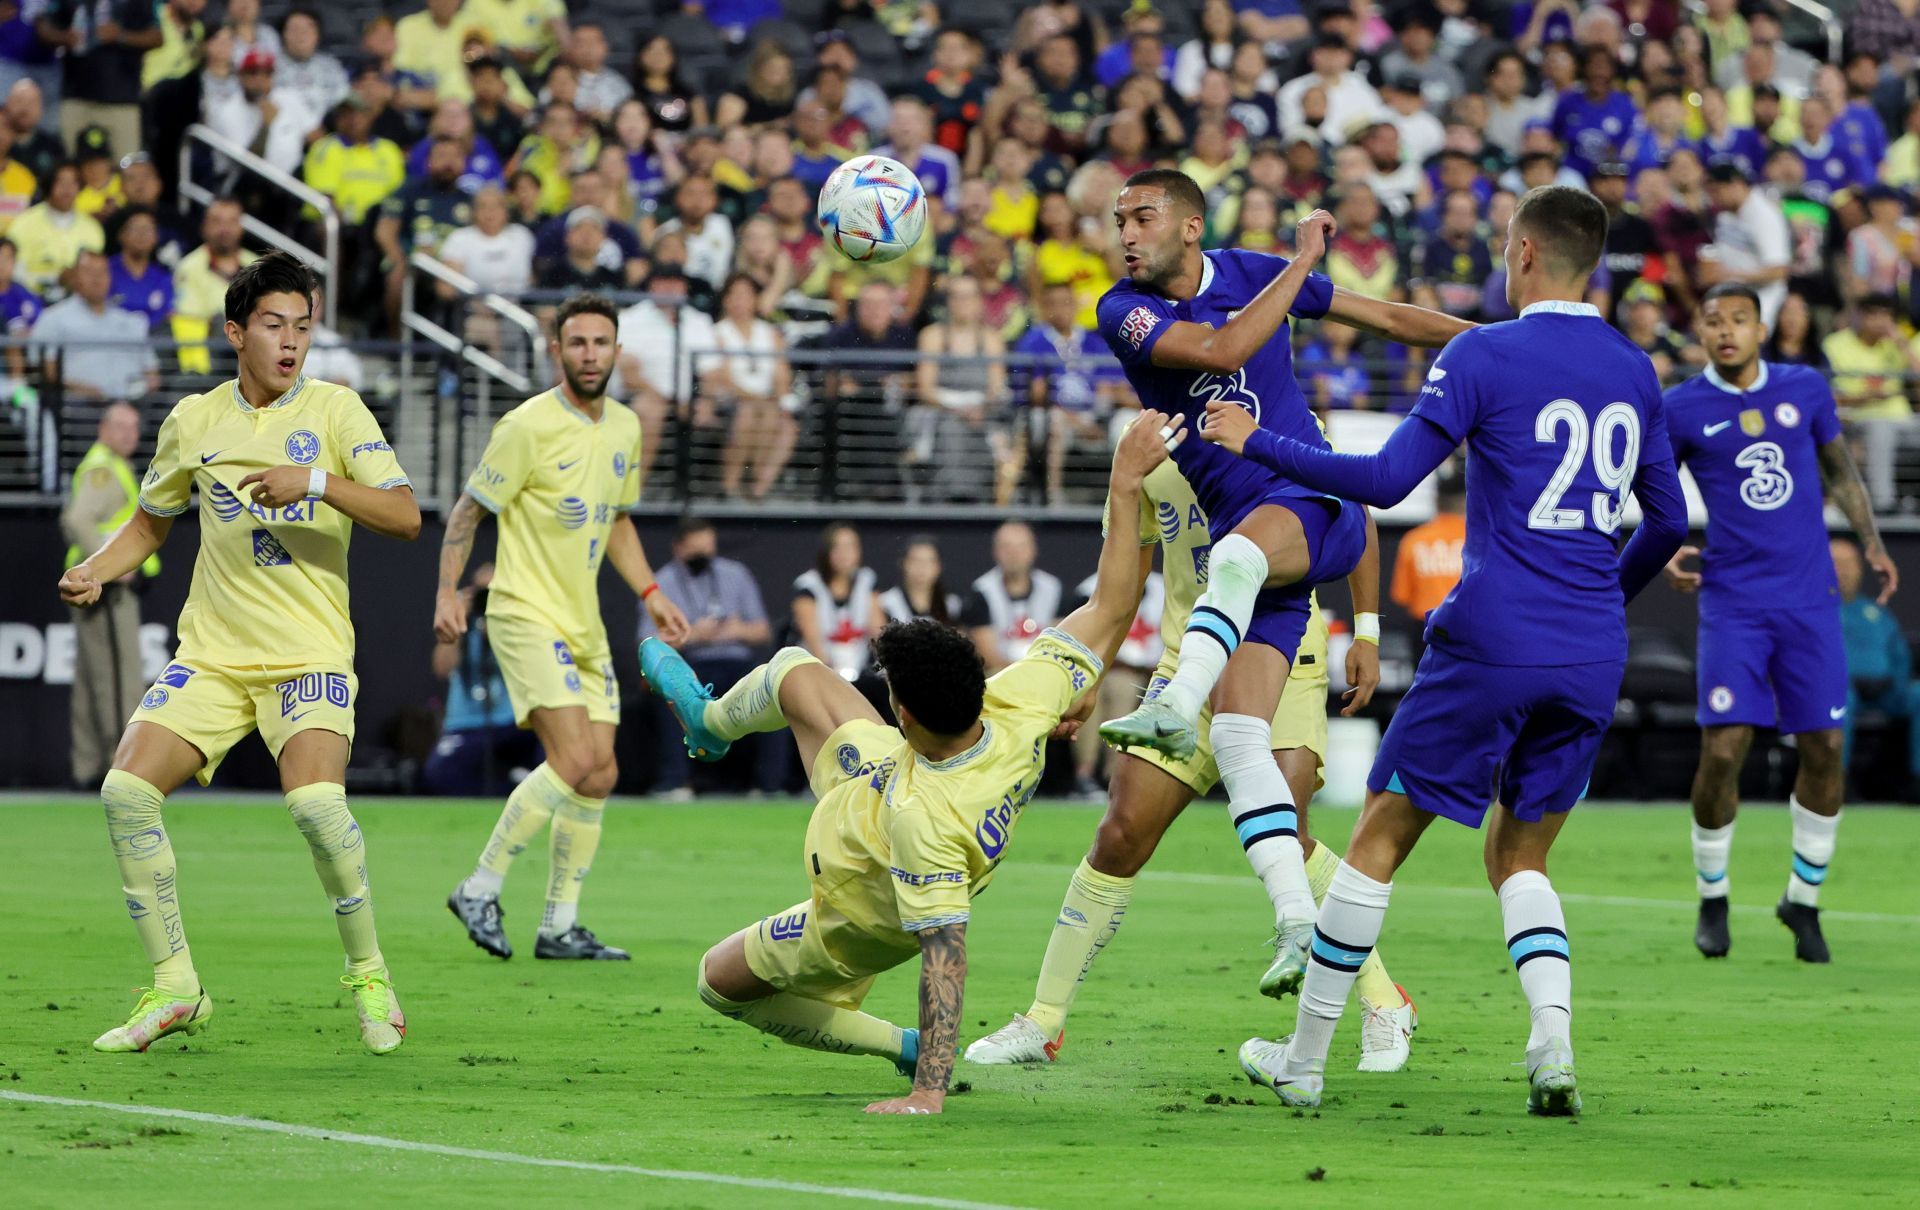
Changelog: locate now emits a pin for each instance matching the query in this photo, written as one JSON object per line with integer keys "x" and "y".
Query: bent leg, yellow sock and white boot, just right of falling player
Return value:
{"x": 1145, "y": 802}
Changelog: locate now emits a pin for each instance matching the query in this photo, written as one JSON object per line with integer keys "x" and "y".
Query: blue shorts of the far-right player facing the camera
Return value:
{"x": 1773, "y": 667}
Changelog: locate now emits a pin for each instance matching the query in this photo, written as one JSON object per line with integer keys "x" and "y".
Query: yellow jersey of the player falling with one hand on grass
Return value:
{"x": 907, "y": 846}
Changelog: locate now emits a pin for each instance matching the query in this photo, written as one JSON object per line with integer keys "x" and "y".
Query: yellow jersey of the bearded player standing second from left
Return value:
{"x": 556, "y": 479}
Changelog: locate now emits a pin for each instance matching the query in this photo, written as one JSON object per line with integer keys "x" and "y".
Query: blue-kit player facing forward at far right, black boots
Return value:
{"x": 1762, "y": 439}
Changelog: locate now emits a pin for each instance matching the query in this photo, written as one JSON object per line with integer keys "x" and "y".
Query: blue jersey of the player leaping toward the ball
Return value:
{"x": 1134, "y": 320}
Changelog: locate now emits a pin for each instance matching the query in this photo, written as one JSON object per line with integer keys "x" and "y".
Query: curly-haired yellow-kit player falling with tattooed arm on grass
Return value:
{"x": 913, "y": 821}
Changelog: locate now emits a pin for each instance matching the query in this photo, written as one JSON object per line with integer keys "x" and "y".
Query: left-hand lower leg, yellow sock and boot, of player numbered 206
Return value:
{"x": 176, "y": 1004}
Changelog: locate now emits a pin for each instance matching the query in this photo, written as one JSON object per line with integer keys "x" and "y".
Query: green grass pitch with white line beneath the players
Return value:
{"x": 1746, "y": 1082}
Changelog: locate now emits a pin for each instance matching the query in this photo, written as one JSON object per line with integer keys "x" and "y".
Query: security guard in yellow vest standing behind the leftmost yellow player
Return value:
{"x": 107, "y": 641}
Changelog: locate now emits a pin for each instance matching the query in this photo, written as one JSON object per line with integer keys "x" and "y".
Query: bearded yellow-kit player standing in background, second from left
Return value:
{"x": 560, "y": 477}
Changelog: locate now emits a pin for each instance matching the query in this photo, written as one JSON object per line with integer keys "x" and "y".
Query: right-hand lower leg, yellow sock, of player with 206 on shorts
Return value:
{"x": 320, "y": 810}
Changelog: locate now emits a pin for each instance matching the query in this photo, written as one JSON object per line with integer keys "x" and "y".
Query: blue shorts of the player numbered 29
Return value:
{"x": 1470, "y": 735}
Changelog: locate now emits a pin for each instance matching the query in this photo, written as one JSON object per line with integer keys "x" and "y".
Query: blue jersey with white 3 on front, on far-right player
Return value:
{"x": 1756, "y": 458}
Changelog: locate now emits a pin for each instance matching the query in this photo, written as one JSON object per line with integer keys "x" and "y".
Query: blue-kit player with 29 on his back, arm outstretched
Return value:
{"x": 1524, "y": 662}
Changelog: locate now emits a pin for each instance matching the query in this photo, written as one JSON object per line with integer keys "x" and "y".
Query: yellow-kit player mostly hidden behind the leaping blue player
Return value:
{"x": 1149, "y": 790}
